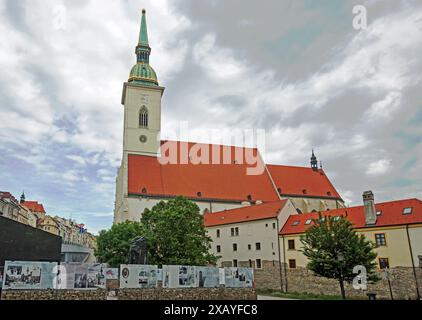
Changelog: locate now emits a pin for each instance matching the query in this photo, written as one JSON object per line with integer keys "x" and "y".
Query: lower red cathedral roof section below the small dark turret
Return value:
{"x": 301, "y": 181}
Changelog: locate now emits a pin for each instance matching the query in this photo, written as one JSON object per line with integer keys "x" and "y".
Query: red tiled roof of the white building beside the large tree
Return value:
{"x": 250, "y": 213}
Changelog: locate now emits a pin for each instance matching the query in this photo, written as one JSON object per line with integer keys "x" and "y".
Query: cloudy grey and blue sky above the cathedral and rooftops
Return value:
{"x": 298, "y": 69}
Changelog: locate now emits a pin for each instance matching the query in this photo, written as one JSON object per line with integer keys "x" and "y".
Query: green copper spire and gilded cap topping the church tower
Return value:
{"x": 142, "y": 72}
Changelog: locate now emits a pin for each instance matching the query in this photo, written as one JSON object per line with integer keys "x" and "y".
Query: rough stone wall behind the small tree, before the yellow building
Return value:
{"x": 403, "y": 284}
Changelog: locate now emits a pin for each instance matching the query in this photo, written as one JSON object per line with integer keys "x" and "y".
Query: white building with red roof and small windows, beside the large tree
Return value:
{"x": 248, "y": 237}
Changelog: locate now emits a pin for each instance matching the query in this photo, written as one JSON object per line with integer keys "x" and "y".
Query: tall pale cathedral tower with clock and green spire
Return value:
{"x": 141, "y": 99}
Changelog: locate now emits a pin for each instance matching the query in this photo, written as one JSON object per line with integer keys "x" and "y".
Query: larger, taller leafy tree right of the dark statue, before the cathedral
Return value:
{"x": 176, "y": 234}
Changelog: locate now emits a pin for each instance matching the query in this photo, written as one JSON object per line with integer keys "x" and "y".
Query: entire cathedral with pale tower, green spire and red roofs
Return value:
{"x": 222, "y": 183}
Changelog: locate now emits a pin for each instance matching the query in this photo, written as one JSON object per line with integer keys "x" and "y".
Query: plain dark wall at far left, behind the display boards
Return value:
{"x": 19, "y": 242}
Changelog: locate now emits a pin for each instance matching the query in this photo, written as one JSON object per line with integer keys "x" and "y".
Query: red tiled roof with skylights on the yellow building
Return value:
{"x": 391, "y": 215}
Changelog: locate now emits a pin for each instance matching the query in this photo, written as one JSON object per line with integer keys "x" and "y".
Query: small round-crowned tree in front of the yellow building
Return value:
{"x": 334, "y": 248}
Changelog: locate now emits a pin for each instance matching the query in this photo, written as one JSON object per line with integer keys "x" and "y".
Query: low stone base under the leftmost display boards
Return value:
{"x": 54, "y": 294}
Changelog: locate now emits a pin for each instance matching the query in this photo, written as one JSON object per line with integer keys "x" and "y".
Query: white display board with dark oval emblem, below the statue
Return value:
{"x": 138, "y": 276}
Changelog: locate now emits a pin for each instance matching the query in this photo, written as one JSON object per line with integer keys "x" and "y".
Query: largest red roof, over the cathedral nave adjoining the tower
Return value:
{"x": 227, "y": 182}
